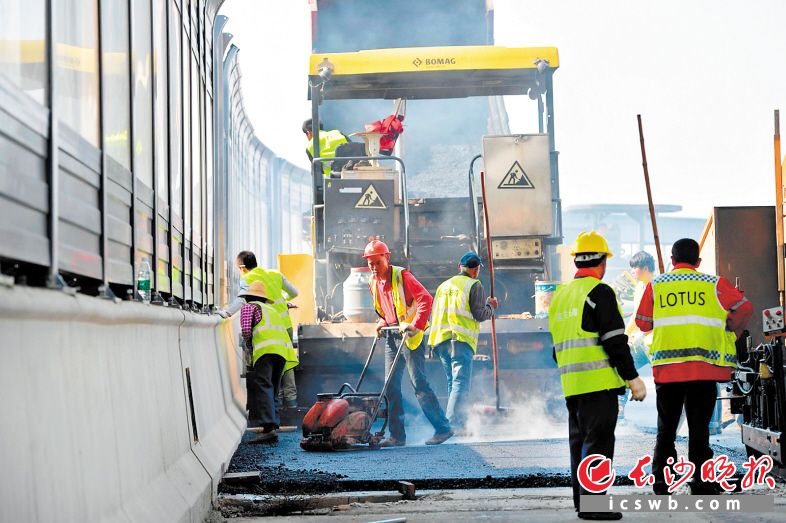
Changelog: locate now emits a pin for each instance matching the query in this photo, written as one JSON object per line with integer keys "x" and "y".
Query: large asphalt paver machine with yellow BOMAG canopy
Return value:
{"x": 371, "y": 200}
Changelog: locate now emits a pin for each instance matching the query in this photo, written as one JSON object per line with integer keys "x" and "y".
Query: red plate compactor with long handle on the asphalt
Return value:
{"x": 342, "y": 421}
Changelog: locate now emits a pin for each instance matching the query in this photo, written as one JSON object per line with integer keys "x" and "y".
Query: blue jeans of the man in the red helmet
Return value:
{"x": 416, "y": 365}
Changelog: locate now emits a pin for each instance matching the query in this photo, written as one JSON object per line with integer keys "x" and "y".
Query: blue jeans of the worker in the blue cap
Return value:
{"x": 457, "y": 362}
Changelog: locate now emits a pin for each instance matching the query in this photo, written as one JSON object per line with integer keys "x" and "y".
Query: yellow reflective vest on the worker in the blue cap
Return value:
{"x": 451, "y": 315}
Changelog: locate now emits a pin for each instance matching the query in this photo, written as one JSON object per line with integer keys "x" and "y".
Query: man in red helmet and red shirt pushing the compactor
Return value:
{"x": 401, "y": 300}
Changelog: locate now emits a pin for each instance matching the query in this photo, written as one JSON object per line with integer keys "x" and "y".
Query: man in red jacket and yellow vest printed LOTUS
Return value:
{"x": 695, "y": 319}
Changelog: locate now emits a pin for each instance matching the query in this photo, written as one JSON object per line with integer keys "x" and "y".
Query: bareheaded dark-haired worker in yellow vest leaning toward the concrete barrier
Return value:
{"x": 279, "y": 290}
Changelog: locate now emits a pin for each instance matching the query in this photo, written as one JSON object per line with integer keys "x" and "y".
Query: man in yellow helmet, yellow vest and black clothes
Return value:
{"x": 593, "y": 357}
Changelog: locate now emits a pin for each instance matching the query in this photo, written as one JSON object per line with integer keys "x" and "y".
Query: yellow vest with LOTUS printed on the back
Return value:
{"x": 689, "y": 322}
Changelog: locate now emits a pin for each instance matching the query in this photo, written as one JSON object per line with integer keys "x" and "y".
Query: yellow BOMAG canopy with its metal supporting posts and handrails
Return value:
{"x": 425, "y": 73}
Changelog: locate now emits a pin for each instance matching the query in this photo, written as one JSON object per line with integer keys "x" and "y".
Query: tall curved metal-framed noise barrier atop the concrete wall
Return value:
{"x": 74, "y": 217}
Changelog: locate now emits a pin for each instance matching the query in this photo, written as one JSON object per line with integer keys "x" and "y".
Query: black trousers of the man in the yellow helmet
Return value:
{"x": 592, "y": 418}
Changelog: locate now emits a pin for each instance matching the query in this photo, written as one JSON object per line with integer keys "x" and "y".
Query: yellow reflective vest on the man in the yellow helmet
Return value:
{"x": 583, "y": 364}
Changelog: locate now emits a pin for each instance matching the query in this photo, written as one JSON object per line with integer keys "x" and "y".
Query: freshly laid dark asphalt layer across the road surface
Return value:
{"x": 287, "y": 470}
